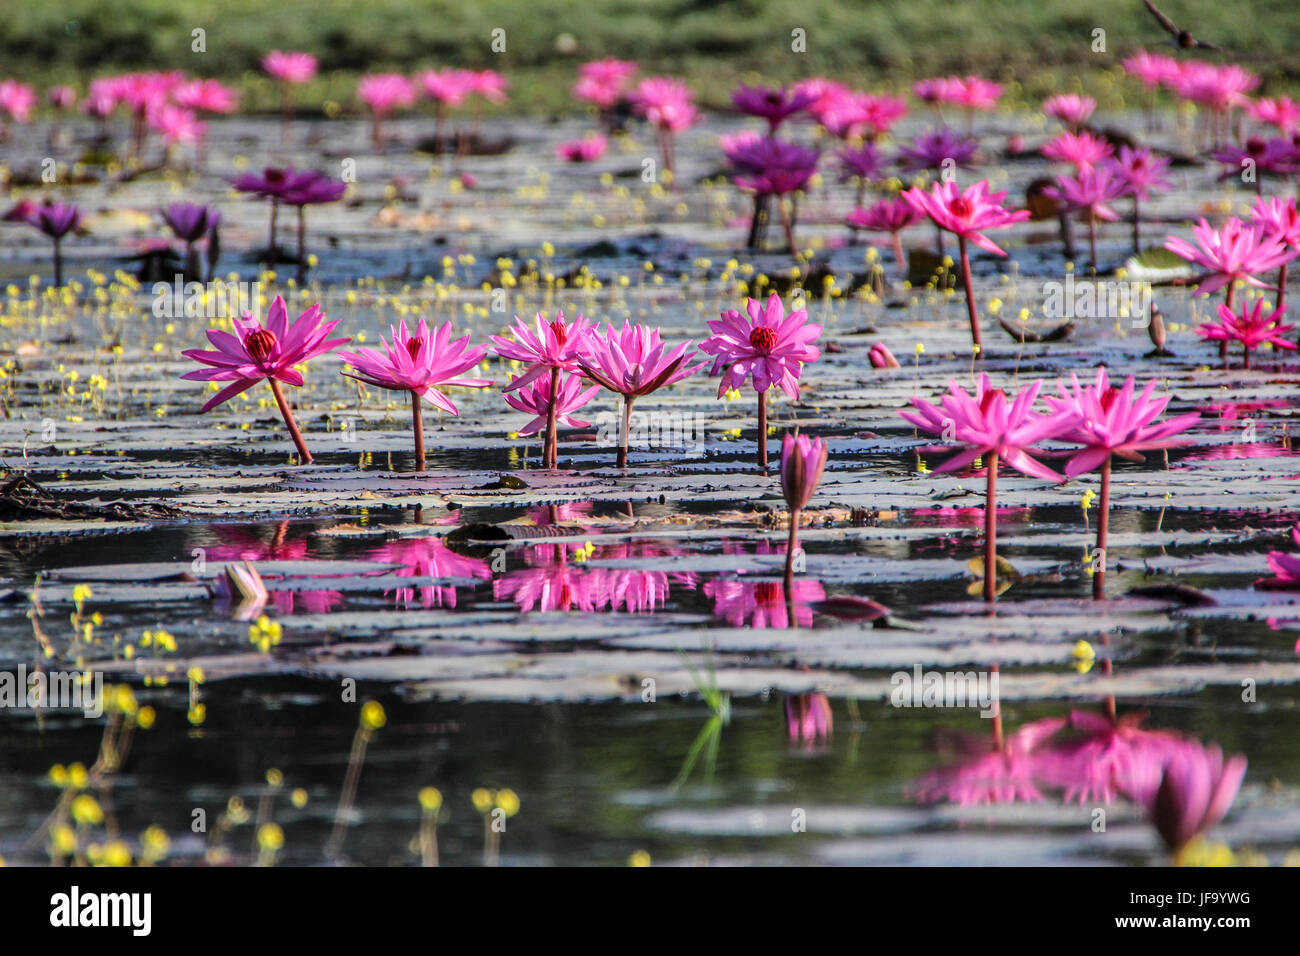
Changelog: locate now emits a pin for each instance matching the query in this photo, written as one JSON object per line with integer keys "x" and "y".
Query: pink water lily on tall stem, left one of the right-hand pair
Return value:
{"x": 998, "y": 430}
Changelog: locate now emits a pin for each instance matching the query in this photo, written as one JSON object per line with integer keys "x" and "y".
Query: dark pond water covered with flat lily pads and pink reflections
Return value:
{"x": 619, "y": 648}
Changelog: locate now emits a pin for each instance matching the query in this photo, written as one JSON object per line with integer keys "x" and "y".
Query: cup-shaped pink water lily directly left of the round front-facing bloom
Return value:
{"x": 634, "y": 362}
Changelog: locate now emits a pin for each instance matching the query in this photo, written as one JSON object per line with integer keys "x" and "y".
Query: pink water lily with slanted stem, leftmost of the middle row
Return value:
{"x": 257, "y": 353}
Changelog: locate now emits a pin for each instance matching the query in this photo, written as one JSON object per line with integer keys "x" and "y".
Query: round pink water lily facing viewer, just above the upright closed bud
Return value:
{"x": 764, "y": 347}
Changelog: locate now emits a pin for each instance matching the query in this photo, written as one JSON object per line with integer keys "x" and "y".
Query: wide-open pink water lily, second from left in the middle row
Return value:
{"x": 421, "y": 365}
